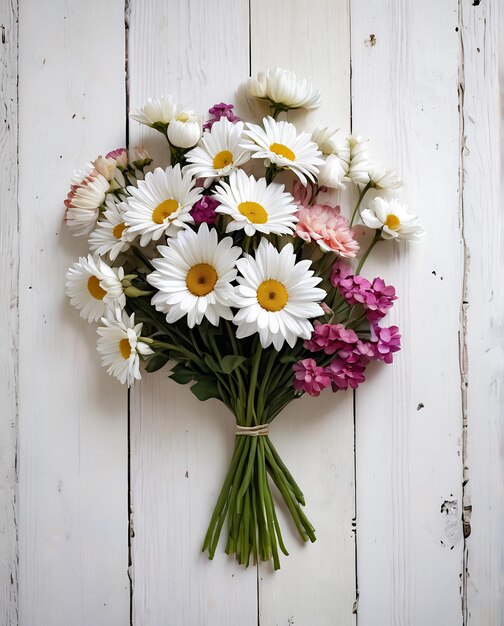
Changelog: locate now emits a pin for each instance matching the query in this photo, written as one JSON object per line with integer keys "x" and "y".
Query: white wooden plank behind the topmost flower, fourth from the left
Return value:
{"x": 316, "y": 584}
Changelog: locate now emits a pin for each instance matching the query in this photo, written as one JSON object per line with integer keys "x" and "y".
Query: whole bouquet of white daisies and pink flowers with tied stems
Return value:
{"x": 232, "y": 268}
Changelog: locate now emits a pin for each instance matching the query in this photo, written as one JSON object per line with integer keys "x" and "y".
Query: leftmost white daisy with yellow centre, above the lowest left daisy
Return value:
{"x": 93, "y": 287}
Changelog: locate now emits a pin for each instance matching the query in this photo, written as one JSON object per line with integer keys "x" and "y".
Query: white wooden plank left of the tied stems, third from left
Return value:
{"x": 180, "y": 448}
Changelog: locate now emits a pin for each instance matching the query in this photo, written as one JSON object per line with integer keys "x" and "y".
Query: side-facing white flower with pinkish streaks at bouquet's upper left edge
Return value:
{"x": 87, "y": 194}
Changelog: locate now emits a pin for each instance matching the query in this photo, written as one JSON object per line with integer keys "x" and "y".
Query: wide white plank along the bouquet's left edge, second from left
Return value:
{"x": 73, "y": 417}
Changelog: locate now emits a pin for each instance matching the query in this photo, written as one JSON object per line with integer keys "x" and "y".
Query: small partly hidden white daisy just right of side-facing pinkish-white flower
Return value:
{"x": 111, "y": 235}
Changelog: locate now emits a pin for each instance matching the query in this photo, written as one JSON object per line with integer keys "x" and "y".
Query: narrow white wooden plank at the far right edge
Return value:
{"x": 482, "y": 64}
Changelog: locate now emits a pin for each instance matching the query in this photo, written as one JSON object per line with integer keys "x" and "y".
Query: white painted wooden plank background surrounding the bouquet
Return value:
{"x": 104, "y": 500}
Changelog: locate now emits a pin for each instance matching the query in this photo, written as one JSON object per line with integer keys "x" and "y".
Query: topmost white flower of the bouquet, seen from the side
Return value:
{"x": 284, "y": 89}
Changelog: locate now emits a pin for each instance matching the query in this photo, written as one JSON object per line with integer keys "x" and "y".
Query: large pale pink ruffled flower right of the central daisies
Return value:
{"x": 331, "y": 230}
